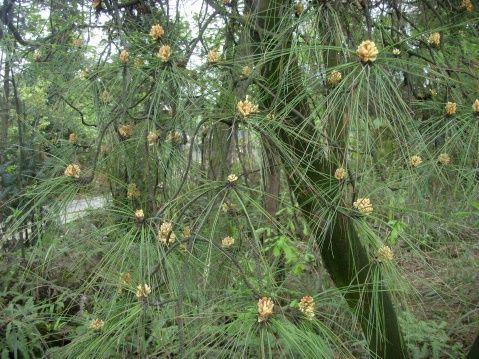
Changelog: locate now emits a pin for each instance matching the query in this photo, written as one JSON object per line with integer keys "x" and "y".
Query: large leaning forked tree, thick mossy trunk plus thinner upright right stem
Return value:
{"x": 343, "y": 254}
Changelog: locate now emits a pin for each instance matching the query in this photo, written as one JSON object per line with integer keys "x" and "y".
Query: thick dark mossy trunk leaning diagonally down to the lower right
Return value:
{"x": 343, "y": 254}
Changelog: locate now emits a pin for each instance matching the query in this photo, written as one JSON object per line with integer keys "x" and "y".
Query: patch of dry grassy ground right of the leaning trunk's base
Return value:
{"x": 447, "y": 283}
